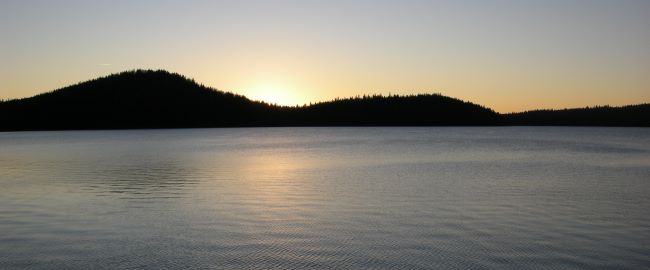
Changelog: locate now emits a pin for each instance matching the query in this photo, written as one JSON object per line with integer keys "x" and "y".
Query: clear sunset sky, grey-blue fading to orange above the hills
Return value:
{"x": 509, "y": 55}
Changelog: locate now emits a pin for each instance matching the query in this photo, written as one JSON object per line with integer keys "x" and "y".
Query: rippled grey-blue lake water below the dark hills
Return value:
{"x": 326, "y": 198}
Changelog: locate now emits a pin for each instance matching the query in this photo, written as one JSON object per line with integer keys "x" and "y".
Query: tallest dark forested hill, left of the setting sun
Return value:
{"x": 134, "y": 99}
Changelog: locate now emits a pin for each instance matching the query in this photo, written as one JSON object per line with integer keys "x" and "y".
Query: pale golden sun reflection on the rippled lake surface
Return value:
{"x": 270, "y": 183}
